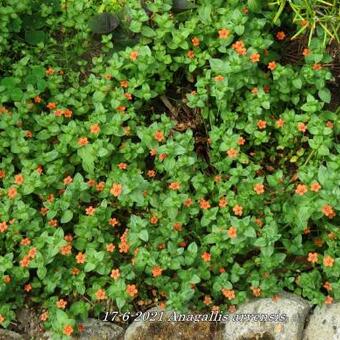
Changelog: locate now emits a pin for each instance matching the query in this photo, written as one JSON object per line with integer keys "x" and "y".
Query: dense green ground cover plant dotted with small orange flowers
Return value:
{"x": 163, "y": 151}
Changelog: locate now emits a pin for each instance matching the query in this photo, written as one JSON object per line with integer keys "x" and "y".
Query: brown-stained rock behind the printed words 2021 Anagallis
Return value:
{"x": 170, "y": 330}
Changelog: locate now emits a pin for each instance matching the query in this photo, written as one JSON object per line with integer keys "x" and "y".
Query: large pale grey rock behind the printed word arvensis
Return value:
{"x": 294, "y": 307}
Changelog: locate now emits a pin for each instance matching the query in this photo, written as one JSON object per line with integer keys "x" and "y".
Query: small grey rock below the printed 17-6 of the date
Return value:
{"x": 100, "y": 330}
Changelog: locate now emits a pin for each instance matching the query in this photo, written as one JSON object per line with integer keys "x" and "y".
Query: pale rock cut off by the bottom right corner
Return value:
{"x": 324, "y": 323}
